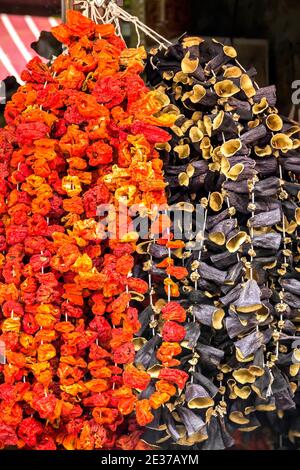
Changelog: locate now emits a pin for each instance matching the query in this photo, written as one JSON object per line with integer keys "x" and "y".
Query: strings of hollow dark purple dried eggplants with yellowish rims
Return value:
{"x": 232, "y": 154}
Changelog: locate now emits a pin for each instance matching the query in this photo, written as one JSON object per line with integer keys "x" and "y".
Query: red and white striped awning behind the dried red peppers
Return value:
{"x": 16, "y": 35}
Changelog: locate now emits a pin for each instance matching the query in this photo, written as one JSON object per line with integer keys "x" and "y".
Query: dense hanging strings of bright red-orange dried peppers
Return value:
{"x": 80, "y": 133}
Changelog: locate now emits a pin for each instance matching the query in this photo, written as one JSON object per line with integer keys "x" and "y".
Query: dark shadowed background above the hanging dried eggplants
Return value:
{"x": 275, "y": 21}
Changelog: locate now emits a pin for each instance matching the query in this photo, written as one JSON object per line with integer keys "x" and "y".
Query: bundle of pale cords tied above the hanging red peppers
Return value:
{"x": 113, "y": 13}
